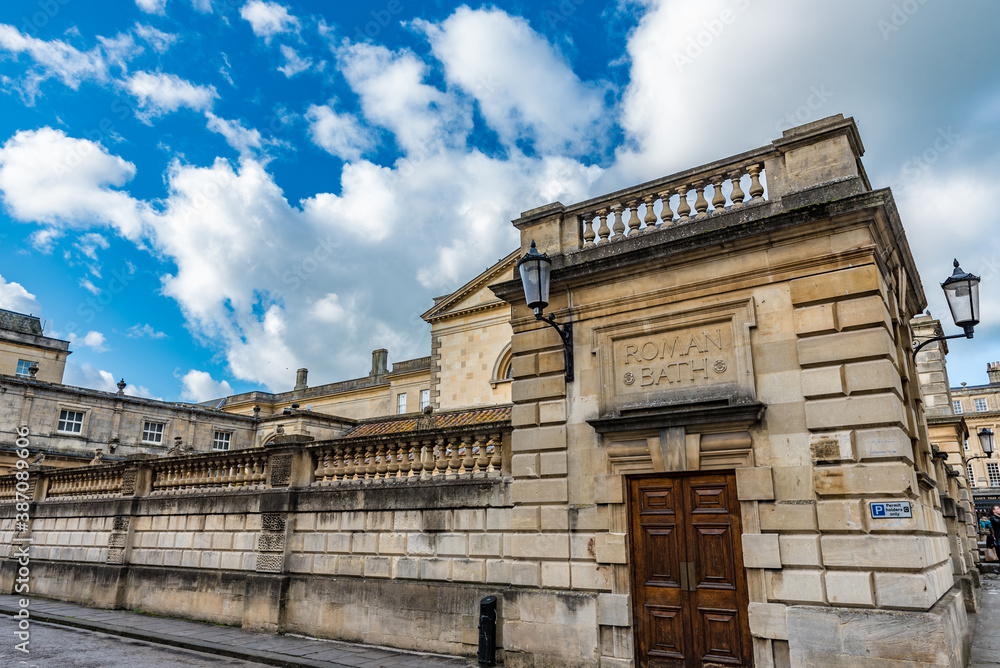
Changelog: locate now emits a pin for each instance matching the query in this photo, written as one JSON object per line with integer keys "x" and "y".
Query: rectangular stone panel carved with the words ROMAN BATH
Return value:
{"x": 675, "y": 359}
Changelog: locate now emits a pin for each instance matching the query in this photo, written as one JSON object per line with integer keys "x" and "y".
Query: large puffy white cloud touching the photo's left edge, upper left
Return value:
{"x": 50, "y": 178}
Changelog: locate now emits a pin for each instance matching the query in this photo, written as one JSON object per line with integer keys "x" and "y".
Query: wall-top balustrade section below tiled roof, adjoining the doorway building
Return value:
{"x": 469, "y": 455}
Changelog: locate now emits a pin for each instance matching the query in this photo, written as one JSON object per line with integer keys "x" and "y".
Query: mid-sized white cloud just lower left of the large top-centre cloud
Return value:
{"x": 393, "y": 95}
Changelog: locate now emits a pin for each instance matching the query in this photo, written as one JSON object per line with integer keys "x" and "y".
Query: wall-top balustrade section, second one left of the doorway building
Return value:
{"x": 237, "y": 470}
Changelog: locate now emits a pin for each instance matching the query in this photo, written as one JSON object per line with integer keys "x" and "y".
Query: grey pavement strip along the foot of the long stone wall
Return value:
{"x": 288, "y": 650}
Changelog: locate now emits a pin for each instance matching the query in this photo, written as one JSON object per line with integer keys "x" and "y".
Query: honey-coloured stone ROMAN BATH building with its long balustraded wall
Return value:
{"x": 739, "y": 473}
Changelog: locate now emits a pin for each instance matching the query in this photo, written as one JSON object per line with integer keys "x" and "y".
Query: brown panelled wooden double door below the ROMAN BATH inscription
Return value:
{"x": 688, "y": 582}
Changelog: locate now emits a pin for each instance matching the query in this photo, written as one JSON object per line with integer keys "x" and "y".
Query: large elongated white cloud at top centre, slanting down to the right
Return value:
{"x": 524, "y": 87}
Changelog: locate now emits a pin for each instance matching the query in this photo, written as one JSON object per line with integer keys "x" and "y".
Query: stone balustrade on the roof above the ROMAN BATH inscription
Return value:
{"x": 669, "y": 202}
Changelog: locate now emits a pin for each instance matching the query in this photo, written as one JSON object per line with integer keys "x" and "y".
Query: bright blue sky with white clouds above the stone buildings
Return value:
{"x": 205, "y": 195}
